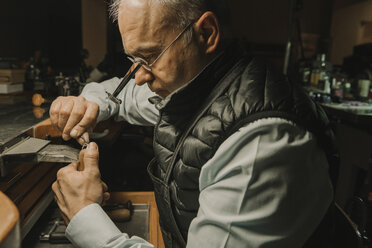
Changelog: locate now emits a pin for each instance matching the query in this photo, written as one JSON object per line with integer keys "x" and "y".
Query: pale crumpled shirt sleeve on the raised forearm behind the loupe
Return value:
{"x": 135, "y": 107}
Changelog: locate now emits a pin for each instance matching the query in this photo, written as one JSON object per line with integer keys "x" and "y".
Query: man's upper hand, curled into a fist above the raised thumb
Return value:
{"x": 73, "y": 115}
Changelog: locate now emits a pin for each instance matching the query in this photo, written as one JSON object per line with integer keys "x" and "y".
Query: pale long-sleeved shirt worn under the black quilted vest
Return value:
{"x": 266, "y": 186}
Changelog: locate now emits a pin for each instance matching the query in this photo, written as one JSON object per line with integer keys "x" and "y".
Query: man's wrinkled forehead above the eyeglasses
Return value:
{"x": 142, "y": 21}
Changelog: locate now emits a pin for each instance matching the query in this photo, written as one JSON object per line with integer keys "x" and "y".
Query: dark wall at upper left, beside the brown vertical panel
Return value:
{"x": 52, "y": 26}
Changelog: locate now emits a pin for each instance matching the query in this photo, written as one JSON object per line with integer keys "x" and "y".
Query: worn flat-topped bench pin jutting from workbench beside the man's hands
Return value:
{"x": 28, "y": 149}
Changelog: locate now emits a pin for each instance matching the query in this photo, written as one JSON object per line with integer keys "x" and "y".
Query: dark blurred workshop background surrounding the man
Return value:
{"x": 51, "y": 48}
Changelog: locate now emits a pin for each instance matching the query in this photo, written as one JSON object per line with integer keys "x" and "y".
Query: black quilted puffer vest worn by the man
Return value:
{"x": 232, "y": 91}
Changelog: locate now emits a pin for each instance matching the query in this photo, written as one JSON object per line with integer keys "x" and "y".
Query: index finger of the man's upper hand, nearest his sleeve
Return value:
{"x": 88, "y": 121}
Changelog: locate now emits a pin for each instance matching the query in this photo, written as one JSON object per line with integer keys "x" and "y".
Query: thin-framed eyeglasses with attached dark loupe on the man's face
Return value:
{"x": 140, "y": 63}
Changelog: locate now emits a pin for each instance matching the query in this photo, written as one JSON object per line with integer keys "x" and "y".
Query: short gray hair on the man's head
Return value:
{"x": 183, "y": 12}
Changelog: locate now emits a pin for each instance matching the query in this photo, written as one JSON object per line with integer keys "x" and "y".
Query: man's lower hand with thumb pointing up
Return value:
{"x": 76, "y": 189}
